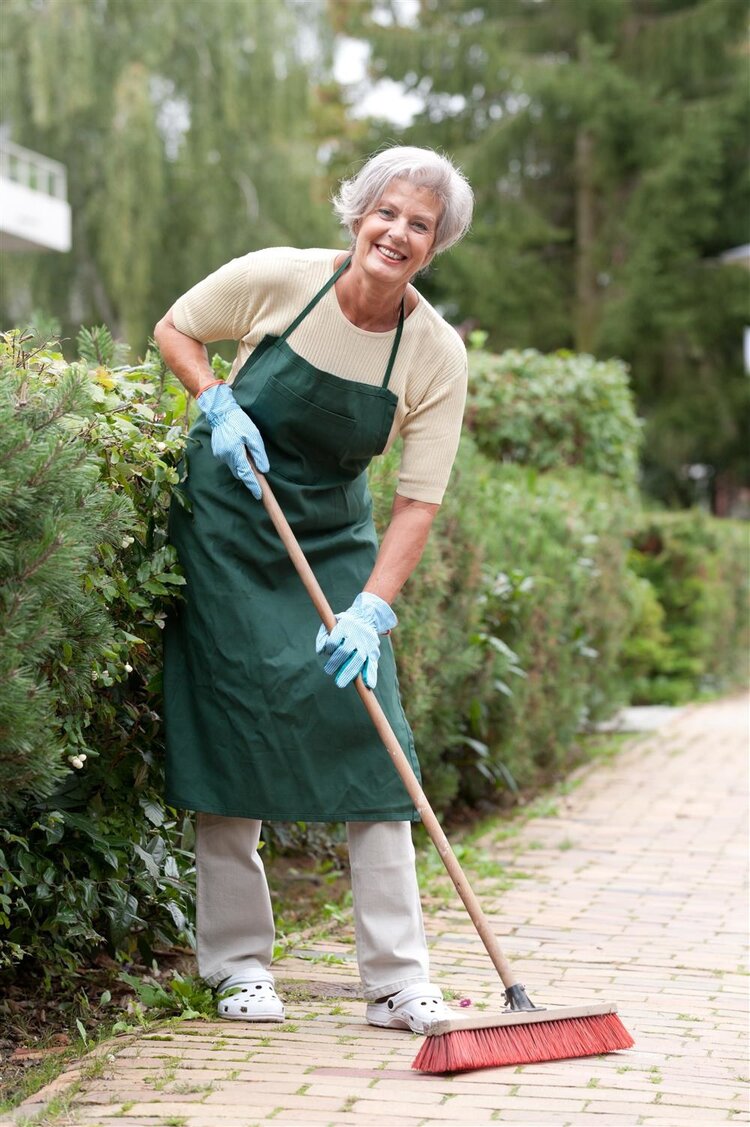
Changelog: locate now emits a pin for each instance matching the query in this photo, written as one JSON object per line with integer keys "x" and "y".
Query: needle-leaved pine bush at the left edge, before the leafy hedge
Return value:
{"x": 55, "y": 519}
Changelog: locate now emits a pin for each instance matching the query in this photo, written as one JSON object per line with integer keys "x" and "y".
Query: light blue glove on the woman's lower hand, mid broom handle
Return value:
{"x": 354, "y": 644}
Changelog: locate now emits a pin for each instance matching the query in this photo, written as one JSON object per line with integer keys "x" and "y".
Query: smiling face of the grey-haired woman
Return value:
{"x": 395, "y": 239}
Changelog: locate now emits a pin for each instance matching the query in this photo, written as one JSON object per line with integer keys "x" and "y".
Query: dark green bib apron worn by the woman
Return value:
{"x": 254, "y": 727}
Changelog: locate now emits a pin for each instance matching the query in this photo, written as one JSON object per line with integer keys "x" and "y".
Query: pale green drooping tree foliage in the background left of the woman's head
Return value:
{"x": 190, "y": 136}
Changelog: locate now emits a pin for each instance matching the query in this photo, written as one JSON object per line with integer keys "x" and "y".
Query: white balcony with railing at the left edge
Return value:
{"x": 34, "y": 209}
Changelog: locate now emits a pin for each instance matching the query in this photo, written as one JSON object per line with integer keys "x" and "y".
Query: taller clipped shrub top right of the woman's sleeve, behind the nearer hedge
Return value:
{"x": 555, "y": 411}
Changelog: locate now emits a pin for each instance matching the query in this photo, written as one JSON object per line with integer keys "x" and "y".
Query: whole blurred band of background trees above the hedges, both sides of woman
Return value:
{"x": 607, "y": 141}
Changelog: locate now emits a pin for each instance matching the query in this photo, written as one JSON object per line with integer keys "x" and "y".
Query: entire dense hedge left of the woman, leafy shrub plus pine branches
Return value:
{"x": 99, "y": 859}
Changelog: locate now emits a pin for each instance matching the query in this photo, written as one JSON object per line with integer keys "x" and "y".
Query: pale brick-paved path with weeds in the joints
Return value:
{"x": 630, "y": 889}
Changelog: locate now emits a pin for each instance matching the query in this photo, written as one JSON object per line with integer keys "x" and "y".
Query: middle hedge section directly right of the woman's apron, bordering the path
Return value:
{"x": 510, "y": 631}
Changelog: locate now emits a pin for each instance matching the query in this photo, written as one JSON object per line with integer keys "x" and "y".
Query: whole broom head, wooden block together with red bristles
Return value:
{"x": 523, "y": 1037}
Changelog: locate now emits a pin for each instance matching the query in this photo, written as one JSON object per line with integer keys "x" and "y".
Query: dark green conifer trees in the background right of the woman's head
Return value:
{"x": 607, "y": 144}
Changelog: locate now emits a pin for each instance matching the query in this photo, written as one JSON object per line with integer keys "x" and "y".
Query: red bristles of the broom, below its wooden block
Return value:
{"x": 496, "y": 1046}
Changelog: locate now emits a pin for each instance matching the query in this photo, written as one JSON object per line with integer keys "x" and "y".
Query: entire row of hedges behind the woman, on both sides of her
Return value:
{"x": 545, "y": 599}
